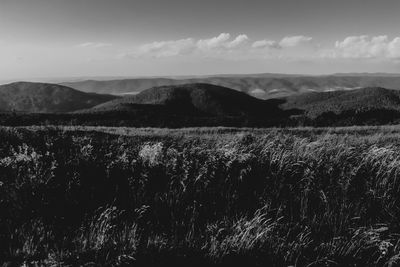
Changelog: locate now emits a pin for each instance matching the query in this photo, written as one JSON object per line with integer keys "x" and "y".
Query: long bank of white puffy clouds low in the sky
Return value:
{"x": 241, "y": 46}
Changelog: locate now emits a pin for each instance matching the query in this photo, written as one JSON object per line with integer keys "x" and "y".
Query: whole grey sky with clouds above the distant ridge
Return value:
{"x": 83, "y": 38}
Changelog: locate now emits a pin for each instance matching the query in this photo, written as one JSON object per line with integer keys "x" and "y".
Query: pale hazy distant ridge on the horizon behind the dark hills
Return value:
{"x": 263, "y": 86}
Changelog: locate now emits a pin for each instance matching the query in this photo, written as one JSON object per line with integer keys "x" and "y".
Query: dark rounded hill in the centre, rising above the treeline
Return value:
{"x": 198, "y": 98}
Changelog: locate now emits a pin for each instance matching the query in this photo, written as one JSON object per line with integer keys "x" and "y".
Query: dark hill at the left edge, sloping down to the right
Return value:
{"x": 46, "y": 98}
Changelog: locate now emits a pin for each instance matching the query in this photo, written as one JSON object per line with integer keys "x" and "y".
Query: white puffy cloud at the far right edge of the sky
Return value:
{"x": 365, "y": 46}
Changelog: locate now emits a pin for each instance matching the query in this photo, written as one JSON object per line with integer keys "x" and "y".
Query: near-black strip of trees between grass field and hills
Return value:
{"x": 171, "y": 120}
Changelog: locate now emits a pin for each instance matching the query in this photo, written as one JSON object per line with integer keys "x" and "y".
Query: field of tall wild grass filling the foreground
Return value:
{"x": 93, "y": 196}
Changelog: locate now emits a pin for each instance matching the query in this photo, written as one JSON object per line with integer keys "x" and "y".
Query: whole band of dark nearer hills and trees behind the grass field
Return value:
{"x": 195, "y": 104}
